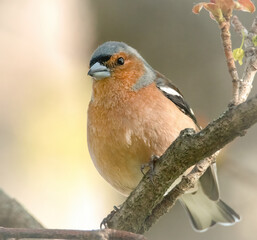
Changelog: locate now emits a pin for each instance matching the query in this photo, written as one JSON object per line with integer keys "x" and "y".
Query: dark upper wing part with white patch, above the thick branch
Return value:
{"x": 171, "y": 92}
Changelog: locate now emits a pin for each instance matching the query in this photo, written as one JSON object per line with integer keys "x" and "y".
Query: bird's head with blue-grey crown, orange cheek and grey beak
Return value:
{"x": 118, "y": 61}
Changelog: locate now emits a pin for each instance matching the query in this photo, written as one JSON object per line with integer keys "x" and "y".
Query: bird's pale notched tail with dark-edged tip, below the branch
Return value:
{"x": 205, "y": 212}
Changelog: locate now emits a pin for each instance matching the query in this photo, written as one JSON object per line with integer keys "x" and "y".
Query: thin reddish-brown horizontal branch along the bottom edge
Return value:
{"x": 107, "y": 234}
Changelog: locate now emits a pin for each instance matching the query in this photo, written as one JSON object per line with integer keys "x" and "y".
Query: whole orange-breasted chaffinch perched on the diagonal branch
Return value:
{"x": 135, "y": 113}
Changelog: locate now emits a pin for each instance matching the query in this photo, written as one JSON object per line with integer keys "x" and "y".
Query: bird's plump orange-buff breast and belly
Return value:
{"x": 125, "y": 128}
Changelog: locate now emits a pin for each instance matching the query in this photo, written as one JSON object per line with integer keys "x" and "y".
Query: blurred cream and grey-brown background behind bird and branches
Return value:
{"x": 45, "y": 49}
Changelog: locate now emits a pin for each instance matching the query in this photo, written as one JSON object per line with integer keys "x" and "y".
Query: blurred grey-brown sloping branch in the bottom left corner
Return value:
{"x": 13, "y": 214}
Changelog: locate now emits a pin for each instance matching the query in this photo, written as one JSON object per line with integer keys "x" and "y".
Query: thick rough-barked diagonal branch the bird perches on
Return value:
{"x": 188, "y": 149}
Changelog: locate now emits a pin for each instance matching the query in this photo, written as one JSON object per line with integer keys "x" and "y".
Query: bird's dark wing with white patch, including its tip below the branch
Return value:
{"x": 208, "y": 181}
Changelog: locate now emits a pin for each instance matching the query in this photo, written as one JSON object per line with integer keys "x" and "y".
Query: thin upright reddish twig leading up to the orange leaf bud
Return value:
{"x": 227, "y": 45}
